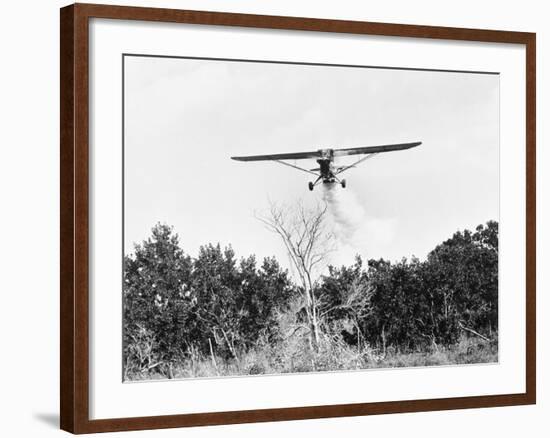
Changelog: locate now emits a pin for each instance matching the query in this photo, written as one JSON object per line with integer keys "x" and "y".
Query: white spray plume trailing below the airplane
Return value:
{"x": 356, "y": 232}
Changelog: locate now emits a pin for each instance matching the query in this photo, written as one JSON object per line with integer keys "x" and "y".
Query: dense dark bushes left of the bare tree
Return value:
{"x": 174, "y": 305}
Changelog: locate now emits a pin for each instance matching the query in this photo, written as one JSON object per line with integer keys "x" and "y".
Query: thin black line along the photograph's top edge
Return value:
{"x": 317, "y": 64}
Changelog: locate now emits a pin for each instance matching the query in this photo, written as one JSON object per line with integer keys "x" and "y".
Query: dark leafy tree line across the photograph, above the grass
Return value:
{"x": 218, "y": 305}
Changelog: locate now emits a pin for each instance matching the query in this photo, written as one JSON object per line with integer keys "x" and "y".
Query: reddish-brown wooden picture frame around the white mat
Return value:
{"x": 74, "y": 217}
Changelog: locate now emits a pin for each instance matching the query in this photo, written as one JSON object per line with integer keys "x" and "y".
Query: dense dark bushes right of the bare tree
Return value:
{"x": 412, "y": 304}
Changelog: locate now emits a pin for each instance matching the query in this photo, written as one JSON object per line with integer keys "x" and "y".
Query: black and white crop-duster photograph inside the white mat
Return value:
{"x": 296, "y": 218}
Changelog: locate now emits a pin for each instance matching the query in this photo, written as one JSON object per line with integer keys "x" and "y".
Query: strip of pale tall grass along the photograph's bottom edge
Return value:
{"x": 295, "y": 356}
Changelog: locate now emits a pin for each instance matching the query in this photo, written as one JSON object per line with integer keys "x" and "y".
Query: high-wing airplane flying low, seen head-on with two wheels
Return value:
{"x": 327, "y": 172}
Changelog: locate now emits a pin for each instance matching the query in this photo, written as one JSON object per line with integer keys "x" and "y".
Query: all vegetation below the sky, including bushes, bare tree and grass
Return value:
{"x": 216, "y": 315}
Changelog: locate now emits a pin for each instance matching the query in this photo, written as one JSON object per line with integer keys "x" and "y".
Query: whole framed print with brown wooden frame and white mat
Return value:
{"x": 276, "y": 218}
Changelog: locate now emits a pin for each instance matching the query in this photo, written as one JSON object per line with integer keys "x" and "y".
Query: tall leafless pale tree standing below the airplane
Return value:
{"x": 308, "y": 242}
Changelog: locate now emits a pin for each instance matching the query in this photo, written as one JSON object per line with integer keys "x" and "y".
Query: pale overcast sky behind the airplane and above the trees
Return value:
{"x": 184, "y": 118}
